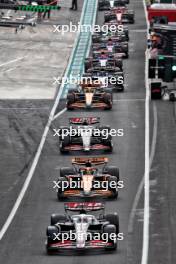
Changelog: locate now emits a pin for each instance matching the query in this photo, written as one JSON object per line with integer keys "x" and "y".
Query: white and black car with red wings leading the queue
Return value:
{"x": 83, "y": 226}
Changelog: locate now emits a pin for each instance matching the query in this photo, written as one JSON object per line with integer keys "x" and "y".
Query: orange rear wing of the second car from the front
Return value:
{"x": 92, "y": 160}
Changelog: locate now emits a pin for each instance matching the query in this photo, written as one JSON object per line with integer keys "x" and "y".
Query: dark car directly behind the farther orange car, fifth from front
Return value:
{"x": 110, "y": 77}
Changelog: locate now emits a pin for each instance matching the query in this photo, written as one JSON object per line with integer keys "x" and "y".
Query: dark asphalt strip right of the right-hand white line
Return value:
{"x": 162, "y": 186}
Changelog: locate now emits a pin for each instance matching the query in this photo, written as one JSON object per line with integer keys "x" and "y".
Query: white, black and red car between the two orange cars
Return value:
{"x": 86, "y": 137}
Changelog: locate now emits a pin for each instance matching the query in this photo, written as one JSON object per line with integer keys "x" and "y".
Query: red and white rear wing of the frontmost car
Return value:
{"x": 86, "y": 206}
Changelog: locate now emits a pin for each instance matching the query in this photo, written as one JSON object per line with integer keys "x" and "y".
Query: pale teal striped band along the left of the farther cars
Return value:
{"x": 82, "y": 45}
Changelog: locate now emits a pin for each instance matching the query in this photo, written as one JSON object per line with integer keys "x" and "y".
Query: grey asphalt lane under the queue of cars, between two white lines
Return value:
{"x": 24, "y": 241}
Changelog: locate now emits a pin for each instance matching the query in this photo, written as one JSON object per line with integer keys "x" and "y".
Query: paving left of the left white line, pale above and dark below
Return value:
{"x": 22, "y": 121}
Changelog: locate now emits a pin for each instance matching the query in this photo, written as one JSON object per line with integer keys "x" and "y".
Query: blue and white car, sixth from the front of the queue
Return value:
{"x": 103, "y": 60}
